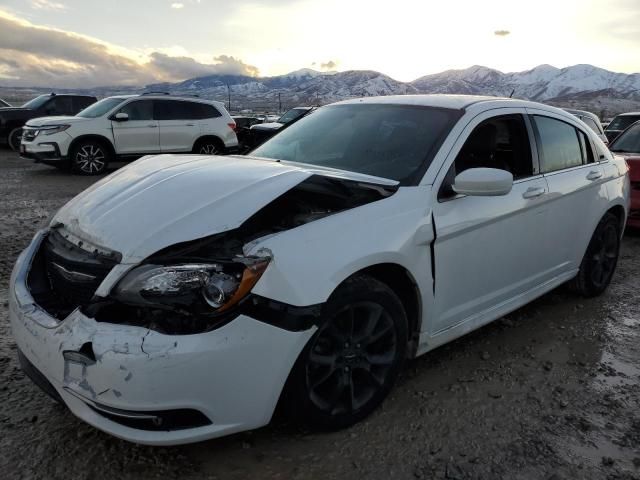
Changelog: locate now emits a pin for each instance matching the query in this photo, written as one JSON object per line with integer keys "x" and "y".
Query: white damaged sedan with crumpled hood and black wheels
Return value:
{"x": 183, "y": 297}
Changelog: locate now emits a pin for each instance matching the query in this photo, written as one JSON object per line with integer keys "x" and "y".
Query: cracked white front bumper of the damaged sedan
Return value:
{"x": 233, "y": 376}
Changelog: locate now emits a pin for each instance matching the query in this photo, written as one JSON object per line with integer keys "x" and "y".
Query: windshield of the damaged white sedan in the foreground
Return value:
{"x": 390, "y": 141}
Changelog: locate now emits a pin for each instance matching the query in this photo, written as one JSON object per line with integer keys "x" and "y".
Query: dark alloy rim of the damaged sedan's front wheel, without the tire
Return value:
{"x": 351, "y": 358}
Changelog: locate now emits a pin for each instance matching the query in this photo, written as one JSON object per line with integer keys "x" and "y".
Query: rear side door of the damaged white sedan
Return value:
{"x": 576, "y": 183}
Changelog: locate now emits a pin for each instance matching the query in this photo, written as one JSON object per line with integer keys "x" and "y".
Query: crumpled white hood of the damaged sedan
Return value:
{"x": 159, "y": 201}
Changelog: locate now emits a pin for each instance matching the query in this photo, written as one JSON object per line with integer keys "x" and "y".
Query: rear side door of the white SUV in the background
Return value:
{"x": 179, "y": 122}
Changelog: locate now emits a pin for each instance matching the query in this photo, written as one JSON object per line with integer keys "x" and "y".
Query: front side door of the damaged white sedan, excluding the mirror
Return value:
{"x": 487, "y": 249}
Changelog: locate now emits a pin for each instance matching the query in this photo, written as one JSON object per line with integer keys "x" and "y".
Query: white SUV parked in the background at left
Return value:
{"x": 128, "y": 127}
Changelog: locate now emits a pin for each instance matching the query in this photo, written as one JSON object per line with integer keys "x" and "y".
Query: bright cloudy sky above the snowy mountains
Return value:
{"x": 131, "y": 42}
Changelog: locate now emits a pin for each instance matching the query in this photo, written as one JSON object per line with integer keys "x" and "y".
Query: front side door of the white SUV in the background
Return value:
{"x": 140, "y": 133}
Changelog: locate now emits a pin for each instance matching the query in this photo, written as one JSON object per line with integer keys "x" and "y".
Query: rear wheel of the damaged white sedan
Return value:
{"x": 600, "y": 260}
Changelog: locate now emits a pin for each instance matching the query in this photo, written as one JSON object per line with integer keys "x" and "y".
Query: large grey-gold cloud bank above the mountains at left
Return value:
{"x": 31, "y": 55}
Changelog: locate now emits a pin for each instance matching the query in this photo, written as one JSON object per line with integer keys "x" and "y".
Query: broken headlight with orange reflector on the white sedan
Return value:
{"x": 196, "y": 288}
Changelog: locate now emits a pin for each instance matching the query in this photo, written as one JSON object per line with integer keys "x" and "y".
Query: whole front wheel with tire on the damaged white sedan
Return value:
{"x": 350, "y": 364}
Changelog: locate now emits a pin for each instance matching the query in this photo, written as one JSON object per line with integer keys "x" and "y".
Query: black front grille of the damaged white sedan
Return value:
{"x": 64, "y": 276}
